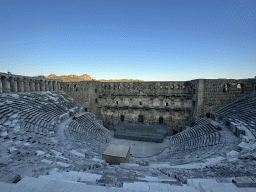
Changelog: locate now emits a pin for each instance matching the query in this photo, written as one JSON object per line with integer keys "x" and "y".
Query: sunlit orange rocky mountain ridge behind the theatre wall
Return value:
{"x": 85, "y": 77}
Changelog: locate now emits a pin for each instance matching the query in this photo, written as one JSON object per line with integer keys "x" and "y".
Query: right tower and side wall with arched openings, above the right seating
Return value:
{"x": 210, "y": 95}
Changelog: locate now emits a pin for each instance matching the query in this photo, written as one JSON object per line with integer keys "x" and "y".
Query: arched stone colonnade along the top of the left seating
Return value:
{"x": 17, "y": 83}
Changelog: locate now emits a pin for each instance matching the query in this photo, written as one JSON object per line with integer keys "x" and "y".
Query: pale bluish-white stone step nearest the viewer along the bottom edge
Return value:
{"x": 42, "y": 184}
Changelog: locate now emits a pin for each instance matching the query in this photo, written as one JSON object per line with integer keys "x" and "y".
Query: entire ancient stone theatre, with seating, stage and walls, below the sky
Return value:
{"x": 196, "y": 135}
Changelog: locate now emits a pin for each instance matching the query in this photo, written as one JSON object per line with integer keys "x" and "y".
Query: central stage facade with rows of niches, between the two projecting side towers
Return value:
{"x": 153, "y": 100}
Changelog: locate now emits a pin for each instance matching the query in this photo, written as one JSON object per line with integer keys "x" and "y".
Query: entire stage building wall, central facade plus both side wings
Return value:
{"x": 174, "y": 103}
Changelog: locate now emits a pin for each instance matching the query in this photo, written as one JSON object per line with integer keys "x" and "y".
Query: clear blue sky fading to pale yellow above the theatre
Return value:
{"x": 150, "y": 40}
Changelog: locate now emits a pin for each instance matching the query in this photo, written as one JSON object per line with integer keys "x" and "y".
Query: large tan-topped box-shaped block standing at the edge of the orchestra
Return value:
{"x": 116, "y": 154}
